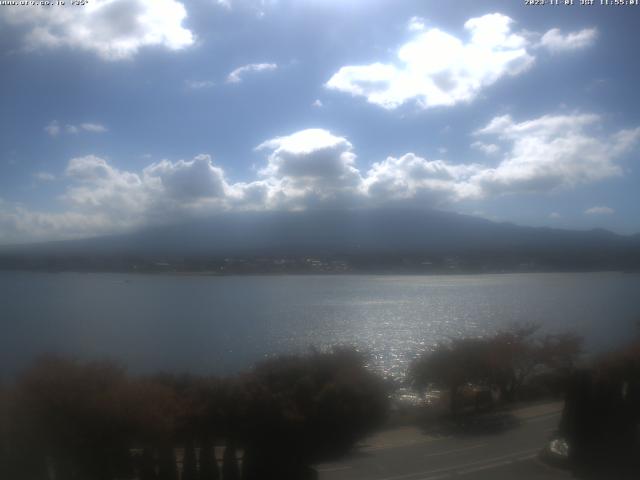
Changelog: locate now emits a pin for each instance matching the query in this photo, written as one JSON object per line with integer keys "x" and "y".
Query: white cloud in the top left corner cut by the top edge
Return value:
{"x": 112, "y": 29}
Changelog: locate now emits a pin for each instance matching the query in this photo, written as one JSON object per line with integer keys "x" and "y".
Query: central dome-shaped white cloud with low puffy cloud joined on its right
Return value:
{"x": 313, "y": 167}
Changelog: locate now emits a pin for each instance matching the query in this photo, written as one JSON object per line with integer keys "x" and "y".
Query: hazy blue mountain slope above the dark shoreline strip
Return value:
{"x": 340, "y": 232}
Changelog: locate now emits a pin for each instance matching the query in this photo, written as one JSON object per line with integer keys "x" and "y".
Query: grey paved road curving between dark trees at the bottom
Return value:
{"x": 408, "y": 454}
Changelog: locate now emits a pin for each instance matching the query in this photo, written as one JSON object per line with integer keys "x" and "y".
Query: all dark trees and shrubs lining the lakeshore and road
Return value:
{"x": 73, "y": 420}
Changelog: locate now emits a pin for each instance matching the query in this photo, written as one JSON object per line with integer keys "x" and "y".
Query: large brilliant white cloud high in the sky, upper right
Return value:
{"x": 438, "y": 69}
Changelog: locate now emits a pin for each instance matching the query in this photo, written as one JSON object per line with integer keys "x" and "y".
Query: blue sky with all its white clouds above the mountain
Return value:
{"x": 120, "y": 114}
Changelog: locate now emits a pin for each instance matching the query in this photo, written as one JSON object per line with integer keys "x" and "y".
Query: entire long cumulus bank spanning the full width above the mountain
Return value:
{"x": 317, "y": 168}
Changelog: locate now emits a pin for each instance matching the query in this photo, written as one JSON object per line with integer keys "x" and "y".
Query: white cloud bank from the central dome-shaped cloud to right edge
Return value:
{"x": 540, "y": 155}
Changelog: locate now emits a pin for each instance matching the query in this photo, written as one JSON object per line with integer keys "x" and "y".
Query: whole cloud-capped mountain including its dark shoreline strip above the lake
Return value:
{"x": 382, "y": 235}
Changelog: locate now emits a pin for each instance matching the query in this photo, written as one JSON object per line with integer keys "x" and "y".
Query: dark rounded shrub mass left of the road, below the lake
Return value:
{"x": 83, "y": 420}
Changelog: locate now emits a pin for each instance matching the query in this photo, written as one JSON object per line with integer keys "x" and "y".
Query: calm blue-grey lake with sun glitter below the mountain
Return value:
{"x": 206, "y": 324}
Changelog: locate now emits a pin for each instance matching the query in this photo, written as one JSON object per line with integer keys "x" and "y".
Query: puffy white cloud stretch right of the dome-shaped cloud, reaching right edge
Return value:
{"x": 542, "y": 155}
